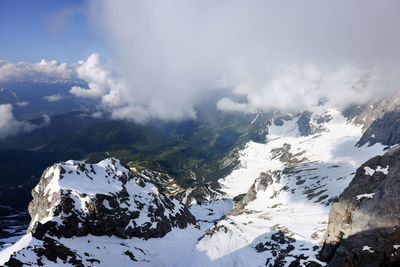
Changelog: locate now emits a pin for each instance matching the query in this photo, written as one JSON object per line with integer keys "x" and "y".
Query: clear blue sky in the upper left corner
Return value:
{"x": 53, "y": 30}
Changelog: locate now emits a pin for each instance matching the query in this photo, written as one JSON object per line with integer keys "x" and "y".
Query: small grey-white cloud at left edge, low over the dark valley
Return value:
{"x": 9, "y": 126}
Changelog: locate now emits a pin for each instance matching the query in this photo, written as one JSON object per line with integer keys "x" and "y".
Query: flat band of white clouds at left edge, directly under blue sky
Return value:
{"x": 43, "y": 70}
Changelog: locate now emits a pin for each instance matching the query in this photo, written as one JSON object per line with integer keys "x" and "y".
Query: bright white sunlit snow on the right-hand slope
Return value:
{"x": 330, "y": 160}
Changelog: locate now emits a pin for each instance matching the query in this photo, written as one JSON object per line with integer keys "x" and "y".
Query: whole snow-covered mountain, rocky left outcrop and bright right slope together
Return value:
{"x": 272, "y": 209}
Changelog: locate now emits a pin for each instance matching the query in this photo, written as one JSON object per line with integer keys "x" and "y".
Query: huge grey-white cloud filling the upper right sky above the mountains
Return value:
{"x": 284, "y": 55}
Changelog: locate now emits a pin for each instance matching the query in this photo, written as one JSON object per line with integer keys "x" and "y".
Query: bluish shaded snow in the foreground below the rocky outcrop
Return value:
{"x": 177, "y": 248}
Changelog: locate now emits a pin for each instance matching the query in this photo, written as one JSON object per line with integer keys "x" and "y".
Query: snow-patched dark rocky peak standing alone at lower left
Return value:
{"x": 77, "y": 199}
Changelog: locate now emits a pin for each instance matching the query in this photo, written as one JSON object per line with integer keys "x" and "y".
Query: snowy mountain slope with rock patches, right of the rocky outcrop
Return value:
{"x": 284, "y": 214}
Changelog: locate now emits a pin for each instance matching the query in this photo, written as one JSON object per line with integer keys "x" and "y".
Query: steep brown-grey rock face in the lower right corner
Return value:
{"x": 364, "y": 224}
